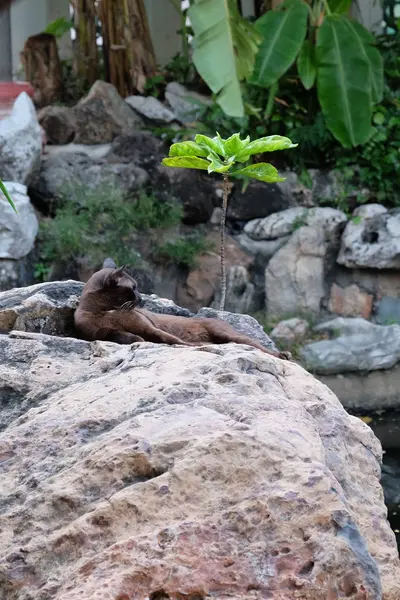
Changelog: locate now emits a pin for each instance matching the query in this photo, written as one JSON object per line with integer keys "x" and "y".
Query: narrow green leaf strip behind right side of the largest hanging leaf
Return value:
{"x": 372, "y": 56}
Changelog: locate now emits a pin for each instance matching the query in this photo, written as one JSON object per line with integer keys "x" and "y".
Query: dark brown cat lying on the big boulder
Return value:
{"x": 108, "y": 310}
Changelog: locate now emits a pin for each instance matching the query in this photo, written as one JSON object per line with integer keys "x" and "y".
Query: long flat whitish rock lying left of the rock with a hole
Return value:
{"x": 286, "y": 221}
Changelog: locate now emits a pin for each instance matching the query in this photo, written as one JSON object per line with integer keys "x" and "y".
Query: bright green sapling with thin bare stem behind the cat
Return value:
{"x": 229, "y": 157}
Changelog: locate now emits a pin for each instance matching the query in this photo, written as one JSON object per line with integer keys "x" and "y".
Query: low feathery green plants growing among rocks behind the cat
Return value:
{"x": 95, "y": 223}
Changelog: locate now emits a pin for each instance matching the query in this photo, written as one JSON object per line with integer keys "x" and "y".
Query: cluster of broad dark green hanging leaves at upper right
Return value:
{"x": 330, "y": 50}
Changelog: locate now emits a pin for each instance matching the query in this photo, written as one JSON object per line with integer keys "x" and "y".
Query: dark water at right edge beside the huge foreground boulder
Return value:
{"x": 386, "y": 426}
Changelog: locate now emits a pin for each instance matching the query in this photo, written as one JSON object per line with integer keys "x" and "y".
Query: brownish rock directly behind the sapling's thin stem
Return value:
{"x": 203, "y": 281}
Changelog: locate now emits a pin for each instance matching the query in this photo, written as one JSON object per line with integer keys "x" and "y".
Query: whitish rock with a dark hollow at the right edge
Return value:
{"x": 372, "y": 243}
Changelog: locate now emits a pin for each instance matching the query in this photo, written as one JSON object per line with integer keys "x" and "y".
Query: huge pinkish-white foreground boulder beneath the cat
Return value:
{"x": 166, "y": 472}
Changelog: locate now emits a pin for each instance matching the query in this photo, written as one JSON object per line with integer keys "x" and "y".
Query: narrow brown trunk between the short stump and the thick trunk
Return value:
{"x": 86, "y": 56}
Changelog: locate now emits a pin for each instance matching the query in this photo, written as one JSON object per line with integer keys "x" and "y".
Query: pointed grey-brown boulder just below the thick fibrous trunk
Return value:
{"x": 103, "y": 115}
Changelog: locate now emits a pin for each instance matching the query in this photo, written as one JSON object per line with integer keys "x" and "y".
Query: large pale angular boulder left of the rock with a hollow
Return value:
{"x": 295, "y": 275}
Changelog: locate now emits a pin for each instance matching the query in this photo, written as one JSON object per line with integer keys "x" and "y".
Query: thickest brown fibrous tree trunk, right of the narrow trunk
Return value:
{"x": 129, "y": 55}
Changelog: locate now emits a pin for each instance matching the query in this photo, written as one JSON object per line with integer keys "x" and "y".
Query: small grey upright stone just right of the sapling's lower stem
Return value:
{"x": 239, "y": 291}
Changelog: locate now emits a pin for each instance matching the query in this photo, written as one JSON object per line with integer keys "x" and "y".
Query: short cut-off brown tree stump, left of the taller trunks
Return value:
{"x": 43, "y": 68}
